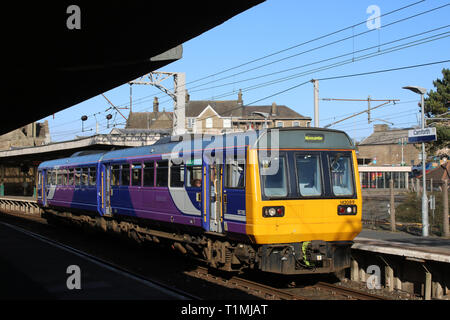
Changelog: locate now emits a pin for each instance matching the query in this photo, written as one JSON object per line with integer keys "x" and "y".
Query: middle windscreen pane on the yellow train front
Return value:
{"x": 309, "y": 177}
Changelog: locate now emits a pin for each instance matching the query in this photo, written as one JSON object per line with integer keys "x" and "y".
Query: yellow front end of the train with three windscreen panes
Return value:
{"x": 303, "y": 200}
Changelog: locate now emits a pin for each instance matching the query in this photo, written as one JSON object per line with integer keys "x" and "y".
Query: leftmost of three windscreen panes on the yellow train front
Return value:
{"x": 274, "y": 177}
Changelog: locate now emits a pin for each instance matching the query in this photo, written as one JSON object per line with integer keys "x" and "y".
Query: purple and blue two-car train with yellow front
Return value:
{"x": 278, "y": 200}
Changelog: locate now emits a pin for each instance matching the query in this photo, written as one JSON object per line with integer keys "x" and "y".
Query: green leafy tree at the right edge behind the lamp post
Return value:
{"x": 437, "y": 105}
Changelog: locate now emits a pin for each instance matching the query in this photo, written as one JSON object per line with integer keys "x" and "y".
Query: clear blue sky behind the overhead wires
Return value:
{"x": 279, "y": 24}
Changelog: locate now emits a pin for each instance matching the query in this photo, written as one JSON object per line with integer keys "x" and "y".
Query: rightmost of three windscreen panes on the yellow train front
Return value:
{"x": 341, "y": 175}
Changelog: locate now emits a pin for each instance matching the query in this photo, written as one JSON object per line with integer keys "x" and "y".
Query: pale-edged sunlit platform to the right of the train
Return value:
{"x": 404, "y": 244}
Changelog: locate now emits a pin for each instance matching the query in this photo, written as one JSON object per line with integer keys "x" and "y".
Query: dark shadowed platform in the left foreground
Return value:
{"x": 33, "y": 268}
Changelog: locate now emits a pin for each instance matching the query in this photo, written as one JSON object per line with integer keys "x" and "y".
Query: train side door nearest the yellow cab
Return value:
{"x": 212, "y": 186}
